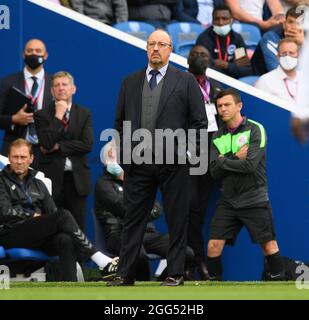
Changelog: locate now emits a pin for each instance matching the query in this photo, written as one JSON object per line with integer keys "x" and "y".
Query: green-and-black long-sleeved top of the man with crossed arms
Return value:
{"x": 244, "y": 182}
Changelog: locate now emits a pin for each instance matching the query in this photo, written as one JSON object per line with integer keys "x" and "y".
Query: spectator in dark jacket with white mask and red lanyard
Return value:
{"x": 226, "y": 47}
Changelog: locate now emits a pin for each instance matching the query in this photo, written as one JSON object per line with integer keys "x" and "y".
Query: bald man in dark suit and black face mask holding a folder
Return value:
{"x": 16, "y": 120}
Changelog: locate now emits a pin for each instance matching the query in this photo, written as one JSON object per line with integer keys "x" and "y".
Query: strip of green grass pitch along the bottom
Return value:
{"x": 153, "y": 291}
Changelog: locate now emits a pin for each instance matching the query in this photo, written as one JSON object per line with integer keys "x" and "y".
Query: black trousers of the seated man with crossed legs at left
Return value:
{"x": 56, "y": 234}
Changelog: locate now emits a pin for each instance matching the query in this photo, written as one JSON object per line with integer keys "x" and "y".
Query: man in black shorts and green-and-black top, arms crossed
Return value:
{"x": 237, "y": 157}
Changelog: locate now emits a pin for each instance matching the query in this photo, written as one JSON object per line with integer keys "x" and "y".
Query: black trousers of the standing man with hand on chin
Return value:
{"x": 69, "y": 199}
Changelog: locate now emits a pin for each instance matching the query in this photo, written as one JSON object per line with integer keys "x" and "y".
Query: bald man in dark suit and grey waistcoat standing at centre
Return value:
{"x": 158, "y": 97}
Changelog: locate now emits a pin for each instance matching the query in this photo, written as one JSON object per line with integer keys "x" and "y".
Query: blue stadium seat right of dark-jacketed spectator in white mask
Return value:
{"x": 250, "y": 33}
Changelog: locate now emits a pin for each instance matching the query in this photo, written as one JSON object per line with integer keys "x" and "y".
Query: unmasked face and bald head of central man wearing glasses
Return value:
{"x": 159, "y": 49}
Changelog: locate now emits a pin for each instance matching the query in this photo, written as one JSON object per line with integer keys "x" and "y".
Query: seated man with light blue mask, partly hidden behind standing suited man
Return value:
{"x": 109, "y": 208}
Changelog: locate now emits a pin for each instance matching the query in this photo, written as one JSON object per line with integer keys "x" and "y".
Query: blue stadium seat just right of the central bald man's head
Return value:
{"x": 184, "y": 34}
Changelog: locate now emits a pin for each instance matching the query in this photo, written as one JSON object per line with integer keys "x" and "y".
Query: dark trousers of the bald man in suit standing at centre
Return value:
{"x": 140, "y": 188}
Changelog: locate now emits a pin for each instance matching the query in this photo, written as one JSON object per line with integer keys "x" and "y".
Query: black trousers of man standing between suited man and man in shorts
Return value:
{"x": 200, "y": 190}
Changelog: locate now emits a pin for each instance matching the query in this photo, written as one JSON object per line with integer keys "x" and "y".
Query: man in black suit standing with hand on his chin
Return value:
{"x": 66, "y": 137}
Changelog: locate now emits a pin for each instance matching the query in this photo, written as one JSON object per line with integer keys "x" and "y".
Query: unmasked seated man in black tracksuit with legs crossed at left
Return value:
{"x": 29, "y": 218}
